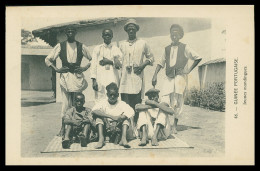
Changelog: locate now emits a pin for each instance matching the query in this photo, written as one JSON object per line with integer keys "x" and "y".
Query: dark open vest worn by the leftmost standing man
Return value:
{"x": 63, "y": 56}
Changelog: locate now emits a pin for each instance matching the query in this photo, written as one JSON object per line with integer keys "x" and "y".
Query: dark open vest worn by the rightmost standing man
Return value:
{"x": 180, "y": 62}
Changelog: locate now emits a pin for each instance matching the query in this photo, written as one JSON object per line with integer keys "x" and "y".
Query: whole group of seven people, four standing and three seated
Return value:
{"x": 118, "y": 81}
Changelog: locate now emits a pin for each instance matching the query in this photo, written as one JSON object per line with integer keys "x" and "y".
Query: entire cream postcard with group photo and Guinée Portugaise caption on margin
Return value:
{"x": 130, "y": 85}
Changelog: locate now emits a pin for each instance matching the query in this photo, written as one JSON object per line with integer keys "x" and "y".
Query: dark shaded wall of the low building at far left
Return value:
{"x": 39, "y": 73}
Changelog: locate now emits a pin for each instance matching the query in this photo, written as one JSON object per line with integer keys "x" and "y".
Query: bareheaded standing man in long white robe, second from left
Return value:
{"x": 105, "y": 65}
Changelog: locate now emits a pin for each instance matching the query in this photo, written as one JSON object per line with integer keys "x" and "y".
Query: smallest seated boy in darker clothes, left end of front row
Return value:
{"x": 78, "y": 121}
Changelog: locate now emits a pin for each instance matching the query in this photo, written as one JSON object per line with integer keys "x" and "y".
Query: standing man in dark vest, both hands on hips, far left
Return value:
{"x": 72, "y": 79}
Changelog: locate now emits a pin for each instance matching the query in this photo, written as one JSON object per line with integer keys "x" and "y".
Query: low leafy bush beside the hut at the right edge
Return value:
{"x": 212, "y": 97}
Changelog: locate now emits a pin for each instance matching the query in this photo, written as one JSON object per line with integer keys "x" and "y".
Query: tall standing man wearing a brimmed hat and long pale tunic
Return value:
{"x": 136, "y": 56}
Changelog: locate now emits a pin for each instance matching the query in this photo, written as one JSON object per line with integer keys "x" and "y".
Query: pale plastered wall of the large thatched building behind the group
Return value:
{"x": 157, "y": 37}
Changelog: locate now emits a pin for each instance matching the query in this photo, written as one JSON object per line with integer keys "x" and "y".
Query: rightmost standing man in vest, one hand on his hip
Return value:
{"x": 175, "y": 57}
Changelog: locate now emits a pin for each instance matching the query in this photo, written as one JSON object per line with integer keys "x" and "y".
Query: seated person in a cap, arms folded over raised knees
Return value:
{"x": 153, "y": 121}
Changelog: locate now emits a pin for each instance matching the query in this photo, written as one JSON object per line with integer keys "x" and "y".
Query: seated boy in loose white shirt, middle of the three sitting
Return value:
{"x": 114, "y": 114}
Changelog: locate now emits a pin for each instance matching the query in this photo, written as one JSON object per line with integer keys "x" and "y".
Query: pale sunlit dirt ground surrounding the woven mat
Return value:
{"x": 200, "y": 128}
